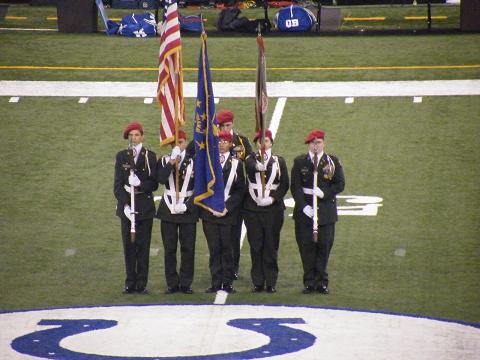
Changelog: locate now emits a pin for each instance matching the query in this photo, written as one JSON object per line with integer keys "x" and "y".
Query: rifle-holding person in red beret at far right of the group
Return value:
{"x": 330, "y": 182}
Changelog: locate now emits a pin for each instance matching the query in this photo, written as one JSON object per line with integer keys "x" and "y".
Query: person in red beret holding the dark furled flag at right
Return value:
{"x": 264, "y": 212}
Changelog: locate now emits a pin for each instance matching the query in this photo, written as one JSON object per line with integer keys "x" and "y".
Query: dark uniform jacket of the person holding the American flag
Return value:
{"x": 164, "y": 170}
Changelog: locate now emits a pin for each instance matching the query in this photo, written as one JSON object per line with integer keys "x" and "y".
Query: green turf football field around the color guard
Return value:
{"x": 59, "y": 237}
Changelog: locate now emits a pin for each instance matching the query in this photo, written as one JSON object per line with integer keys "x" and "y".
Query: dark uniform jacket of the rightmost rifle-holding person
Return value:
{"x": 330, "y": 184}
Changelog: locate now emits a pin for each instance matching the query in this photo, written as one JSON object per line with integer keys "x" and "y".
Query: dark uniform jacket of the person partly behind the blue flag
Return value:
{"x": 234, "y": 202}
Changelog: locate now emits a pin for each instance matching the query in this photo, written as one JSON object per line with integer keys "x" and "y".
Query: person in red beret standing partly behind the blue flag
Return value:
{"x": 217, "y": 227}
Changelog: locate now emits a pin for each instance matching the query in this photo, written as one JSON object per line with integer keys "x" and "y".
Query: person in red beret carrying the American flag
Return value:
{"x": 178, "y": 217}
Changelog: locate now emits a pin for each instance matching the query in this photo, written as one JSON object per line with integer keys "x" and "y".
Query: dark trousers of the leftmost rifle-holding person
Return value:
{"x": 137, "y": 253}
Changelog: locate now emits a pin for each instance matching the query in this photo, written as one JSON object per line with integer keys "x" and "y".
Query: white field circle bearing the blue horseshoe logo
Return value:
{"x": 230, "y": 332}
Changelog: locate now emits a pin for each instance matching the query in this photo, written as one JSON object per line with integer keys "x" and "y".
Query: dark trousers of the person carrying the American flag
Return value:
{"x": 172, "y": 234}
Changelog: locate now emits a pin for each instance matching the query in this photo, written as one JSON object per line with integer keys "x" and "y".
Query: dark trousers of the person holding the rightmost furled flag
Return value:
{"x": 263, "y": 230}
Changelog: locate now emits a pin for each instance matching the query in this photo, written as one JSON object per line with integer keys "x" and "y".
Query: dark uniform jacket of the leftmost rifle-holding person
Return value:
{"x": 145, "y": 170}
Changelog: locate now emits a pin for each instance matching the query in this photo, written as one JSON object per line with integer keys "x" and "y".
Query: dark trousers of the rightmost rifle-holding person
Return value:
{"x": 314, "y": 255}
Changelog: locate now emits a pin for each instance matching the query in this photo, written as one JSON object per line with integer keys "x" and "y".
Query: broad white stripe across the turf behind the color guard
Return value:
{"x": 287, "y": 89}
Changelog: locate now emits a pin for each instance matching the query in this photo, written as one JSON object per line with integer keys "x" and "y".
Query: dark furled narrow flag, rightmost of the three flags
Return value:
{"x": 261, "y": 97}
